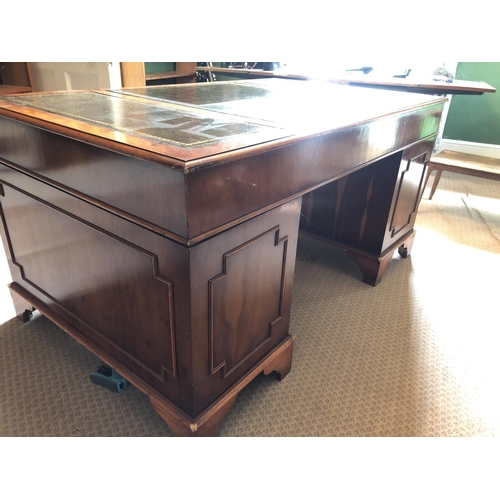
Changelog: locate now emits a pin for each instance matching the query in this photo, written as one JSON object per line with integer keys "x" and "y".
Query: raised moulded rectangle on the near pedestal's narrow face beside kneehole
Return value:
{"x": 265, "y": 258}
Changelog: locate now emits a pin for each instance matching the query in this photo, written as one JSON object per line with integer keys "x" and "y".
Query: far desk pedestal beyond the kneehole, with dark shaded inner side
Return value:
{"x": 371, "y": 213}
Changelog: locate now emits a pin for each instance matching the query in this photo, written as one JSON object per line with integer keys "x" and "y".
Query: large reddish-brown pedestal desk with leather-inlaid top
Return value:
{"x": 158, "y": 225}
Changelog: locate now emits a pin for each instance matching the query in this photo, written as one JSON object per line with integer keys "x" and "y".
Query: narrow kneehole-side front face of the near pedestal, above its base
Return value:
{"x": 241, "y": 286}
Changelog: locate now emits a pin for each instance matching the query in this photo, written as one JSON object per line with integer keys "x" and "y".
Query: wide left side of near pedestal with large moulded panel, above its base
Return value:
{"x": 120, "y": 289}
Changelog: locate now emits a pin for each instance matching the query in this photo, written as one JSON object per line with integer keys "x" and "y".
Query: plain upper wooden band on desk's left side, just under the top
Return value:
{"x": 145, "y": 192}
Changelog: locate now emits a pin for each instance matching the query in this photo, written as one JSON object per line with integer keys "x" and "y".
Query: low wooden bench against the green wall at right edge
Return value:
{"x": 463, "y": 163}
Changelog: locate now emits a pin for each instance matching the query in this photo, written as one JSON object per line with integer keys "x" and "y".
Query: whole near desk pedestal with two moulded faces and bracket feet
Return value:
{"x": 189, "y": 326}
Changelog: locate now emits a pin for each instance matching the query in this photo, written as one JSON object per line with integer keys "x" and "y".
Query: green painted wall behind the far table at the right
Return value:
{"x": 475, "y": 118}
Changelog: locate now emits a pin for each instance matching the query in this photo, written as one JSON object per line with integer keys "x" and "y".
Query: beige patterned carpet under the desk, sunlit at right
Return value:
{"x": 415, "y": 356}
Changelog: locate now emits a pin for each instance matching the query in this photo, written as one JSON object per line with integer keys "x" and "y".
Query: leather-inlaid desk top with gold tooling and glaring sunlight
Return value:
{"x": 197, "y": 125}
